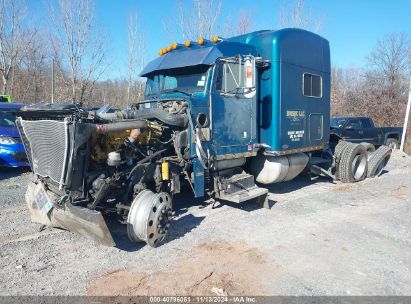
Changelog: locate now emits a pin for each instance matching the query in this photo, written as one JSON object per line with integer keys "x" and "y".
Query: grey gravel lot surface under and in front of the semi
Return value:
{"x": 318, "y": 238}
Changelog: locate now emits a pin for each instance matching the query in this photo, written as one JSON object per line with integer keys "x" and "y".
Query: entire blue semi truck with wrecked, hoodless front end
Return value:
{"x": 224, "y": 116}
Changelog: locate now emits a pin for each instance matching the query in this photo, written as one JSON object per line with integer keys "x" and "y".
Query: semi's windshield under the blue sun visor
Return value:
{"x": 185, "y": 80}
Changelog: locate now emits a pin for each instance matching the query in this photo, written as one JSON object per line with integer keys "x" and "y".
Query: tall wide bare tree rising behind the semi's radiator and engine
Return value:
{"x": 82, "y": 44}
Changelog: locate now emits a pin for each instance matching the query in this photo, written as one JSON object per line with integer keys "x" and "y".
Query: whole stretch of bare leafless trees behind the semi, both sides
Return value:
{"x": 73, "y": 50}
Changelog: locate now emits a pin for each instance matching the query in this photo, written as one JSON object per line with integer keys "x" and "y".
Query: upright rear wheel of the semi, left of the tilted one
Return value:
{"x": 353, "y": 164}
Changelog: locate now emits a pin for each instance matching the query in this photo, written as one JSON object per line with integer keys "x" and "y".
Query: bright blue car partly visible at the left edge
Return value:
{"x": 12, "y": 153}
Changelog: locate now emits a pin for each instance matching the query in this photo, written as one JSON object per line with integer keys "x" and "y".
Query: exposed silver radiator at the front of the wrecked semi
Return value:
{"x": 48, "y": 146}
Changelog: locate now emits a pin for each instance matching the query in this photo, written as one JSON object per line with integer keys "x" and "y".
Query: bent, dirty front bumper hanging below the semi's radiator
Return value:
{"x": 86, "y": 222}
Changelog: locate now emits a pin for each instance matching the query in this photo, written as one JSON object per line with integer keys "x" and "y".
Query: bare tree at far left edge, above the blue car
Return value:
{"x": 12, "y": 38}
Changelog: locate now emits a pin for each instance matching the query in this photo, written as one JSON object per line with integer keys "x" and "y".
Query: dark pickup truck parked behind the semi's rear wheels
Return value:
{"x": 362, "y": 129}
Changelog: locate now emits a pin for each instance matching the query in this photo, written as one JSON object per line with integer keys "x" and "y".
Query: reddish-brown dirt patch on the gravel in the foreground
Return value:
{"x": 215, "y": 268}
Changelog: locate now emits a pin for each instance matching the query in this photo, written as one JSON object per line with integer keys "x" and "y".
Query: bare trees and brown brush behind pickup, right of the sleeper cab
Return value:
{"x": 379, "y": 90}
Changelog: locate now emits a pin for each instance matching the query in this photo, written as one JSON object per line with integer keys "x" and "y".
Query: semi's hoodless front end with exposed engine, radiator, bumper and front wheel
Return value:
{"x": 122, "y": 164}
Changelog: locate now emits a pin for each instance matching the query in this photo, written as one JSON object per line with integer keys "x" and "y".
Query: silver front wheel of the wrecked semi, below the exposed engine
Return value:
{"x": 149, "y": 217}
